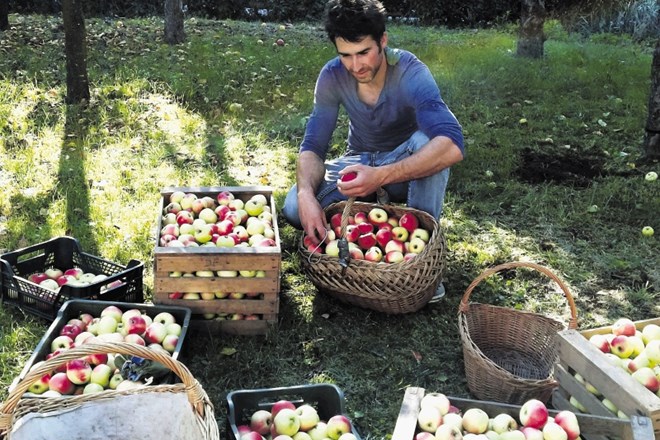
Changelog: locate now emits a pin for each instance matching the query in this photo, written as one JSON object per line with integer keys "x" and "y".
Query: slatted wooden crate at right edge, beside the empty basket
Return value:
{"x": 578, "y": 355}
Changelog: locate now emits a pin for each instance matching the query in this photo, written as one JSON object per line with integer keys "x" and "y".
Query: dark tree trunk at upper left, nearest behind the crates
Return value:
{"x": 75, "y": 48}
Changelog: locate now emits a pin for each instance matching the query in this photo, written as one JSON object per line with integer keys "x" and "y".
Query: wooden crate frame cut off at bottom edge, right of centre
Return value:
{"x": 638, "y": 428}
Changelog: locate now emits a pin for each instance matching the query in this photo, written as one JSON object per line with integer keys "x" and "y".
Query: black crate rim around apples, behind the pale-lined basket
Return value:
{"x": 74, "y": 308}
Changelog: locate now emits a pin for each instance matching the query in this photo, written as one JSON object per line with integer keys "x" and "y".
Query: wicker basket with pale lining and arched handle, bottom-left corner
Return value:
{"x": 18, "y": 411}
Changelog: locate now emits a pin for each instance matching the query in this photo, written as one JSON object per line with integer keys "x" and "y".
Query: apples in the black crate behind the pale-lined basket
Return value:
{"x": 98, "y": 372}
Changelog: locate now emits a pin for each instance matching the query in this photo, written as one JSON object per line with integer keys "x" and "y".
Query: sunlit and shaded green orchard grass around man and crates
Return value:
{"x": 226, "y": 109}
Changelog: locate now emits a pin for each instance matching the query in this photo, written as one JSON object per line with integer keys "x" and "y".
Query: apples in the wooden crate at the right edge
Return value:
{"x": 637, "y": 352}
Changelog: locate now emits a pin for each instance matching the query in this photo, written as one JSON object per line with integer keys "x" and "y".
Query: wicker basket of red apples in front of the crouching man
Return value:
{"x": 393, "y": 288}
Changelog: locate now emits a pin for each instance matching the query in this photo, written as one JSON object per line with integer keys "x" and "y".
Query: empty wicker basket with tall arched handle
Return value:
{"x": 509, "y": 355}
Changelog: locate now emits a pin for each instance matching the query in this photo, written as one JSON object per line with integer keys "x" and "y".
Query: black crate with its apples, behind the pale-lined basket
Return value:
{"x": 83, "y": 322}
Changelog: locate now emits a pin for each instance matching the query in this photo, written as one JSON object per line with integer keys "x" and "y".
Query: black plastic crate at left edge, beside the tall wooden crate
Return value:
{"x": 64, "y": 253}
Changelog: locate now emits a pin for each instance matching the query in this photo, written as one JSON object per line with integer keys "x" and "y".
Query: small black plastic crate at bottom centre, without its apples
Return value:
{"x": 328, "y": 400}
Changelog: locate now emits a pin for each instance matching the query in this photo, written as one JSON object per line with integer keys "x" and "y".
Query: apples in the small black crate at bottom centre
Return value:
{"x": 285, "y": 421}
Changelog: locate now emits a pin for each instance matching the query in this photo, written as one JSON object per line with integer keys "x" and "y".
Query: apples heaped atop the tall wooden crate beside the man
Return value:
{"x": 224, "y": 221}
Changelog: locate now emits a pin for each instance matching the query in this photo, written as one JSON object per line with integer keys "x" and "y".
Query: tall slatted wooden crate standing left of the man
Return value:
{"x": 192, "y": 259}
